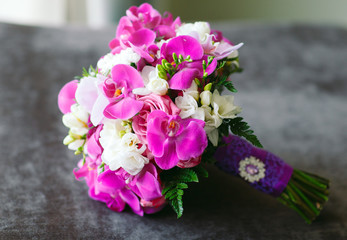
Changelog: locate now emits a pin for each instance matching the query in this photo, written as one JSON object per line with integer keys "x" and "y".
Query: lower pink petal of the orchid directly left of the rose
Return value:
{"x": 124, "y": 109}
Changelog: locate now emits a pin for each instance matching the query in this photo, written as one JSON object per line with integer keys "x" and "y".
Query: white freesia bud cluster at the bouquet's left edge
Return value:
{"x": 77, "y": 121}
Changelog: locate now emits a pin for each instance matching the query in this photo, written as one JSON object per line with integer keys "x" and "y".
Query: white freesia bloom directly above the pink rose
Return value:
{"x": 153, "y": 83}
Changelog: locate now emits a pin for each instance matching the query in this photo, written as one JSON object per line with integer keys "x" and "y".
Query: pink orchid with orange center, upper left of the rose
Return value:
{"x": 119, "y": 92}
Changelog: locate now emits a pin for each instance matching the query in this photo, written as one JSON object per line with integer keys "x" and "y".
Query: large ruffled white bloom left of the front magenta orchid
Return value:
{"x": 121, "y": 148}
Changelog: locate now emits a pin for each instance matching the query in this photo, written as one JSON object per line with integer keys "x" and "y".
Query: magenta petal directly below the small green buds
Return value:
{"x": 183, "y": 79}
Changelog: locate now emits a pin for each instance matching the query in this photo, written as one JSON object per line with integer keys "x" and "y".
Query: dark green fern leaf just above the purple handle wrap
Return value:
{"x": 242, "y": 129}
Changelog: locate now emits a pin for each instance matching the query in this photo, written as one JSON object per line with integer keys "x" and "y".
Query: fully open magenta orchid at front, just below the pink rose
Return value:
{"x": 172, "y": 139}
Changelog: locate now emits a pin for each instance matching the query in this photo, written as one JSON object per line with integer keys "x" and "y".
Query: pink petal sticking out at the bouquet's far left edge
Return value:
{"x": 66, "y": 96}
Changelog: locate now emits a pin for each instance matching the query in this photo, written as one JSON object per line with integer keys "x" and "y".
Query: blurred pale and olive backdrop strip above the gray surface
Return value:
{"x": 101, "y": 13}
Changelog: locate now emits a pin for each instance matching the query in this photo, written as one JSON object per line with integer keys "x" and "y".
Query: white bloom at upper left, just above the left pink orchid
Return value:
{"x": 126, "y": 56}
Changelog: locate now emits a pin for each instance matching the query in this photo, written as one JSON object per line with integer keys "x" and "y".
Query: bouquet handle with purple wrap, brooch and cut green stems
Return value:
{"x": 306, "y": 193}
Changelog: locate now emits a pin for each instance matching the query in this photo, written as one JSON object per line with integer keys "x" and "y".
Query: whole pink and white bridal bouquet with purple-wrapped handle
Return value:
{"x": 150, "y": 115}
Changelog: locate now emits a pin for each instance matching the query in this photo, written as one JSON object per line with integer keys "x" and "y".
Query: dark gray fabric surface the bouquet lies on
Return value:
{"x": 293, "y": 94}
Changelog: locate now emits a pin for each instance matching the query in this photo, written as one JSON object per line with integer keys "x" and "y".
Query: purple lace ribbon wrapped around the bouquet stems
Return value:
{"x": 277, "y": 172}
